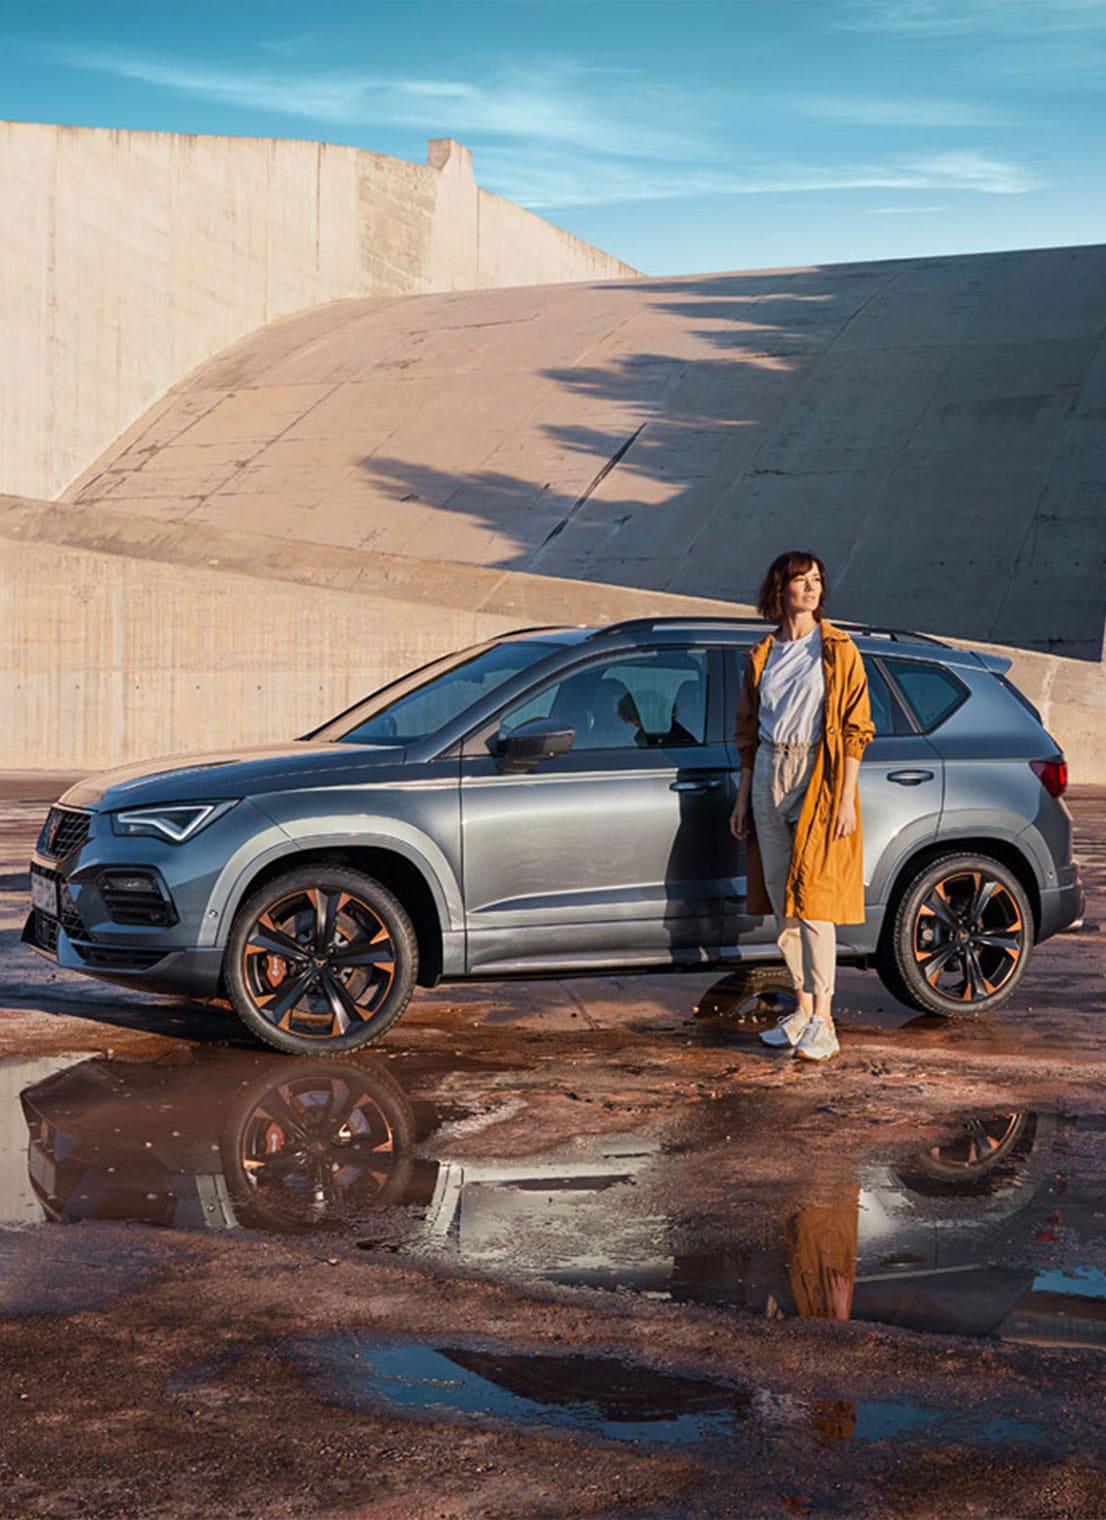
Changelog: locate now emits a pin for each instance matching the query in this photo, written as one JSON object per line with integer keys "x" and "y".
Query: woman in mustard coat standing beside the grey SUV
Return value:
{"x": 803, "y": 724}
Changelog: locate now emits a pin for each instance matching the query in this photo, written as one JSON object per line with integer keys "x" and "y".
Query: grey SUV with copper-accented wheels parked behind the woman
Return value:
{"x": 554, "y": 802}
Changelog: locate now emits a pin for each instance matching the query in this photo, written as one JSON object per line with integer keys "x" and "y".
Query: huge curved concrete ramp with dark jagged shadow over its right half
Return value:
{"x": 932, "y": 428}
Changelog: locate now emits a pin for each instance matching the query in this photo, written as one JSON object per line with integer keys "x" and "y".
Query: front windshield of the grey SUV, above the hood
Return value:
{"x": 426, "y": 701}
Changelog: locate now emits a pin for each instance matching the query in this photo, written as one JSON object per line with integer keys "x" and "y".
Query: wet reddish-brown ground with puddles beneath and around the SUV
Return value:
{"x": 554, "y": 1250}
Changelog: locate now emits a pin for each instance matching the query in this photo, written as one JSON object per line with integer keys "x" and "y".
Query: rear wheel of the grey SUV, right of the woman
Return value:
{"x": 959, "y": 939}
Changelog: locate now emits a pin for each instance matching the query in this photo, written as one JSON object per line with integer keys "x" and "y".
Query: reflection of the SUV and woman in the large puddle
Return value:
{"x": 952, "y": 1240}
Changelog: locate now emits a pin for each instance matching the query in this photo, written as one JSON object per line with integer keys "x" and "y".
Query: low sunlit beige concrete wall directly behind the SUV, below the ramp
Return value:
{"x": 172, "y": 639}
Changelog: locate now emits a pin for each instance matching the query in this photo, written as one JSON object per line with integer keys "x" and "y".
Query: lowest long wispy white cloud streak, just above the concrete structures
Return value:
{"x": 551, "y": 182}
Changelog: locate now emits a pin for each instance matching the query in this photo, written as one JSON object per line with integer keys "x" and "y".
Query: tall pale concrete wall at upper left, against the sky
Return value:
{"x": 127, "y": 259}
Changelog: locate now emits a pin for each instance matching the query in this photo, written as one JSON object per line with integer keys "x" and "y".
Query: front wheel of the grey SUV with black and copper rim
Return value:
{"x": 321, "y": 961}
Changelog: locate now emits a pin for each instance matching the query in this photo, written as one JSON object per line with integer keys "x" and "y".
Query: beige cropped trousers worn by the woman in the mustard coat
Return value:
{"x": 779, "y": 785}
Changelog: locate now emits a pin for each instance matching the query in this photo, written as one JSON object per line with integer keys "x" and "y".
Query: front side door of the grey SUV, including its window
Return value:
{"x": 616, "y": 852}
